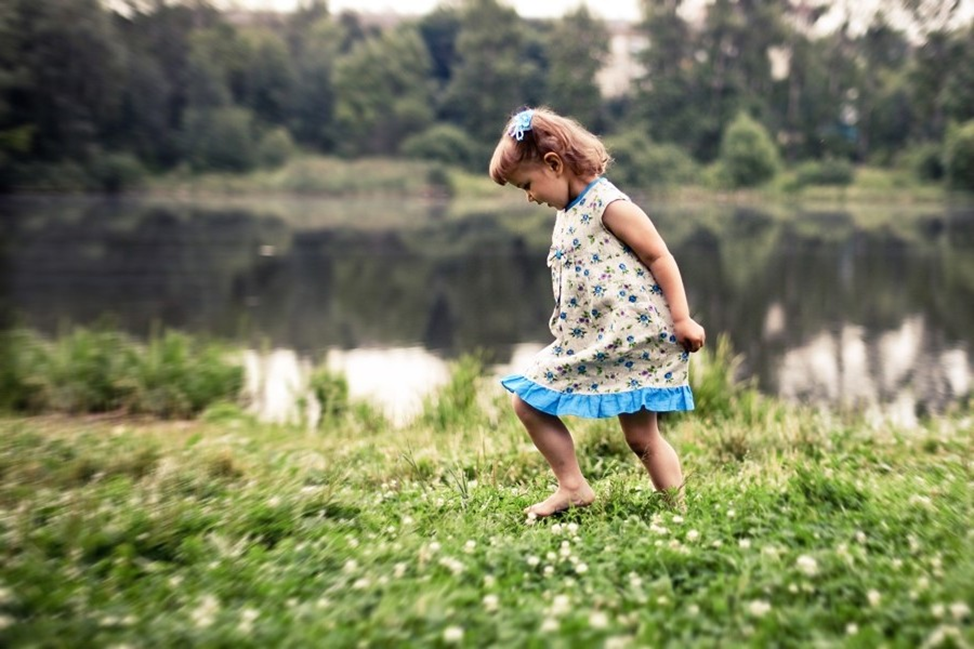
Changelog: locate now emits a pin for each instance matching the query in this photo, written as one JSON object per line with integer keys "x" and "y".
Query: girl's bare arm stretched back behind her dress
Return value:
{"x": 635, "y": 229}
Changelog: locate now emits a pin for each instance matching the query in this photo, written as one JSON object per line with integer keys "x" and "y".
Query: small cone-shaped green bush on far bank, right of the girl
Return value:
{"x": 747, "y": 153}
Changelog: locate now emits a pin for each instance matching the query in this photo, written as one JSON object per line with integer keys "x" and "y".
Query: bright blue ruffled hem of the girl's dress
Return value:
{"x": 598, "y": 406}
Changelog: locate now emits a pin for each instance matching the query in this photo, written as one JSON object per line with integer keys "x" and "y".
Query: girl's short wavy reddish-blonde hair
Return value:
{"x": 579, "y": 149}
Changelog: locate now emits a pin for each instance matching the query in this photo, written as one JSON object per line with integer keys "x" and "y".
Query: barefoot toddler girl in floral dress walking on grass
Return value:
{"x": 621, "y": 323}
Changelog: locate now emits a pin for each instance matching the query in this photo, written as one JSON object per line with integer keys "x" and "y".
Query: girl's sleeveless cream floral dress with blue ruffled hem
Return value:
{"x": 614, "y": 349}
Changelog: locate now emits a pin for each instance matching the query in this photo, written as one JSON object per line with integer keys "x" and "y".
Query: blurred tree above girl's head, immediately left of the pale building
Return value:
{"x": 577, "y": 49}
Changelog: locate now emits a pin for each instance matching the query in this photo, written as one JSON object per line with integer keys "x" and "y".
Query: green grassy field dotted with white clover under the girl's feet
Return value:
{"x": 801, "y": 528}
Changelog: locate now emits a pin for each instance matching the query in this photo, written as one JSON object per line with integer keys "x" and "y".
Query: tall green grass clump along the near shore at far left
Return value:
{"x": 85, "y": 370}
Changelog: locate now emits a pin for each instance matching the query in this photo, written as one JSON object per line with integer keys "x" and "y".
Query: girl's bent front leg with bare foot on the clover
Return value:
{"x": 552, "y": 438}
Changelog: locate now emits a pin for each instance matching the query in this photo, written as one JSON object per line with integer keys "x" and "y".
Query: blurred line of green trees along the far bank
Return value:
{"x": 96, "y": 95}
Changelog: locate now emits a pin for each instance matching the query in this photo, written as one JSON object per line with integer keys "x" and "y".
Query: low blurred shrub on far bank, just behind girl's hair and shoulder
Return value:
{"x": 638, "y": 162}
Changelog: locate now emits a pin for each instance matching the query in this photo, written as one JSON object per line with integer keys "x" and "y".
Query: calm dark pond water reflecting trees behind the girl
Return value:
{"x": 871, "y": 307}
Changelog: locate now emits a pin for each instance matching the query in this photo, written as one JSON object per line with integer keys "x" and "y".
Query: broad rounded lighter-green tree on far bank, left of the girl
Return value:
{"x": 384, "y": 92}
